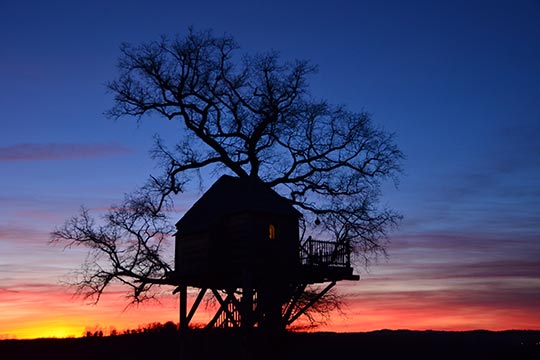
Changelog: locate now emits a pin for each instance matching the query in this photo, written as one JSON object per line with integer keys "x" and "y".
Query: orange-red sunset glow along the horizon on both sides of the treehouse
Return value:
{"x": 53, "y": 312}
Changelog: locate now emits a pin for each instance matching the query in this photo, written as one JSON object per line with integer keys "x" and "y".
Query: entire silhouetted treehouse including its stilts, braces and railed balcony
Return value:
{"x": 240, "y": 242}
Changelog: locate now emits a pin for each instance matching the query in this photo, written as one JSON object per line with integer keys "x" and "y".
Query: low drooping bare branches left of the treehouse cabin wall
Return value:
{"x": 127, "y": 248}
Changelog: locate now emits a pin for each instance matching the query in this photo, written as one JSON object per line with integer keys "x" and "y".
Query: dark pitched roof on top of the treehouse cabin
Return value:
{"x": 232, "y": 195}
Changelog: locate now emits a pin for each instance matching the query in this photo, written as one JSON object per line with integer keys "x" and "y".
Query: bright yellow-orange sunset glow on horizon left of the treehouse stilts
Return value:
{"x": 29, "y": 314}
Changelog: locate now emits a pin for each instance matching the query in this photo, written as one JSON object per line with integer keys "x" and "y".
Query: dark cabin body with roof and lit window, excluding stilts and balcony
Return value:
{"x": 238, "y": 228}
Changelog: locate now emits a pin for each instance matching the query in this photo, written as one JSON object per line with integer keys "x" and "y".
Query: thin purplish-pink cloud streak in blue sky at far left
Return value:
{"x": 53, "y": 151}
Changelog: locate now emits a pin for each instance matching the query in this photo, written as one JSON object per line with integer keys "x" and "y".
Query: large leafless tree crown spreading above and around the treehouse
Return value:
{"x": 249, "y": 115}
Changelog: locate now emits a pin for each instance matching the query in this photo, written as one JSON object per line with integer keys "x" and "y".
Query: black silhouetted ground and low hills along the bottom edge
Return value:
{"x": 200, "y": 344}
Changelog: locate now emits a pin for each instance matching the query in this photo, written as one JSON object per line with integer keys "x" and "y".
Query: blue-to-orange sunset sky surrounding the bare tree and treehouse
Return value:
{"x": 457, "y": 82}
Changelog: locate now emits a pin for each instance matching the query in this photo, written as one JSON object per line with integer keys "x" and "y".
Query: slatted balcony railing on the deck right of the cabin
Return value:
{"x": 325, "y": 253}
